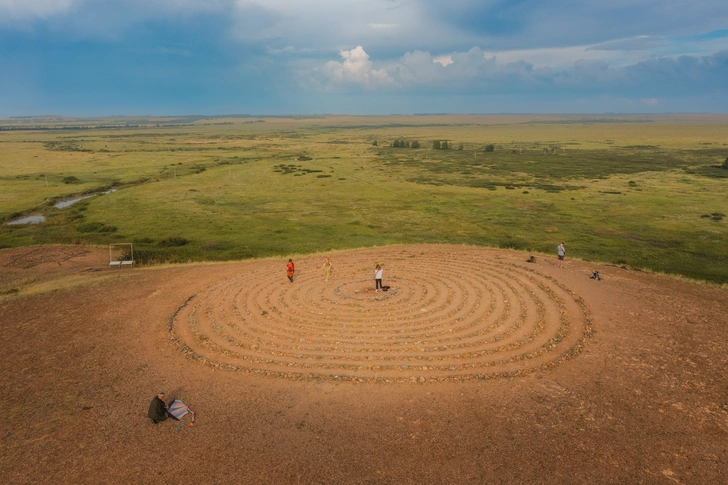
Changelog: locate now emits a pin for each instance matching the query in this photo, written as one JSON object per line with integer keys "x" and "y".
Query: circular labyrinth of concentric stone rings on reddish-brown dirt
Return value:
{"x": 450, "y": 314}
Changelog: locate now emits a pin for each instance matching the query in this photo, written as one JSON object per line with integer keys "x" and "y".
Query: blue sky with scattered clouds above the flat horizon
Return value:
{"x": 168, "y": 57}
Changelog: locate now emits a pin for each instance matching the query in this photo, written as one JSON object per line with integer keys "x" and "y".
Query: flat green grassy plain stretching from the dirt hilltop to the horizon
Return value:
{"x": 645, "y": 192}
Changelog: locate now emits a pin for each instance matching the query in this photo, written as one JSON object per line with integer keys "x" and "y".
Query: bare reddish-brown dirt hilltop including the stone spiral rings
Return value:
{"x": 475, "y": 367}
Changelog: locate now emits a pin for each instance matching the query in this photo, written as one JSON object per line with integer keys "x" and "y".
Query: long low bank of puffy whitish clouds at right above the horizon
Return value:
{"x": 475, "y": 72}
